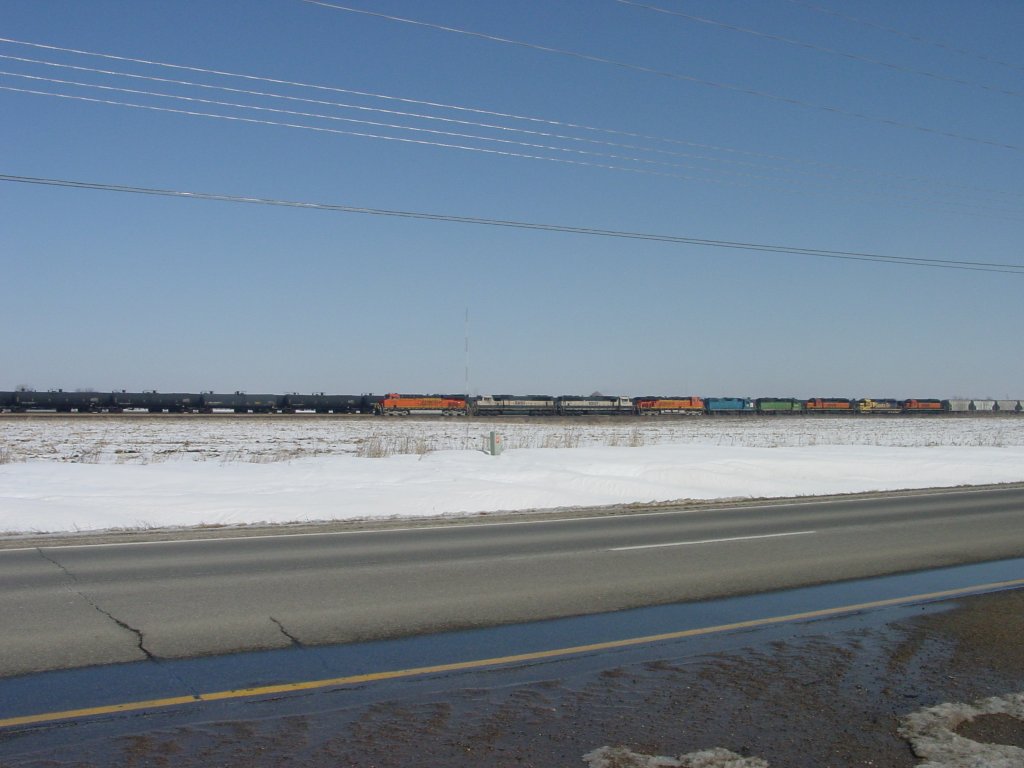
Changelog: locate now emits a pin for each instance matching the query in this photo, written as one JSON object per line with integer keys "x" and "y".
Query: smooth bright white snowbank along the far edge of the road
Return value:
{"x": 54, "y": 496}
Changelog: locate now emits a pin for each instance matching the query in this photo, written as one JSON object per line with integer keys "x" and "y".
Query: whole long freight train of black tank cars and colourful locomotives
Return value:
{"x": 503, "y": 405}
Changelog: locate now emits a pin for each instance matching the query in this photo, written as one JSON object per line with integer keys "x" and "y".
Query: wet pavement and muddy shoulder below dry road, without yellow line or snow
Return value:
{"x": 814, "y": 693}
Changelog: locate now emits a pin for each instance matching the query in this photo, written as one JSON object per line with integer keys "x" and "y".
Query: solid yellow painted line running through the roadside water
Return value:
{"x": 495, "y": 662}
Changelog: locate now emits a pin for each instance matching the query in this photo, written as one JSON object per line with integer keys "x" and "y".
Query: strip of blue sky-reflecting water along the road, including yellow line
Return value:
{"x": 121, "y": 700}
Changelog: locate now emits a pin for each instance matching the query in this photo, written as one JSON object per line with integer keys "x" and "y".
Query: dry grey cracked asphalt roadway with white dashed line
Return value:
{"x": 78, "y": 606}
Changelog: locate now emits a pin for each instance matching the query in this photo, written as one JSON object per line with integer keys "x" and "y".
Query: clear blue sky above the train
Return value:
{"x": 874, "y": 127}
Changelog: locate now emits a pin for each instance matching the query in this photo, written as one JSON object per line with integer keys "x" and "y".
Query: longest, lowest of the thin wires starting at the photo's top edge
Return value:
{"x": 675, "y": 76}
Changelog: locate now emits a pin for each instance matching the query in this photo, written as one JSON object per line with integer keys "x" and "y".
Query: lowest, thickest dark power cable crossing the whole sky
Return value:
{"x": 538, "y": 227}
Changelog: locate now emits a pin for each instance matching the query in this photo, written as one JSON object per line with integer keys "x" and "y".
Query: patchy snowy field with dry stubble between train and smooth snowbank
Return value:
{"x": 270, "y": 440}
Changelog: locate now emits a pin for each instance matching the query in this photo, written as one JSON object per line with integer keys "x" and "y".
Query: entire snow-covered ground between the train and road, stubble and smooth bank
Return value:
{"x": 82, "y": 474}
